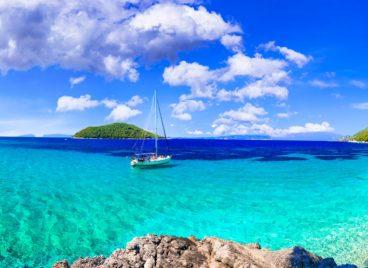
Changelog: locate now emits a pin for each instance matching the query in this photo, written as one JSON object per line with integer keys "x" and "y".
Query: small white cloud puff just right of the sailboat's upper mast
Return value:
{"x": 183, "y": 107}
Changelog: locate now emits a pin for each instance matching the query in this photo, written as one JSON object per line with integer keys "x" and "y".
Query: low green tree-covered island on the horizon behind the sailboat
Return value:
{"x": 114, "y": 131}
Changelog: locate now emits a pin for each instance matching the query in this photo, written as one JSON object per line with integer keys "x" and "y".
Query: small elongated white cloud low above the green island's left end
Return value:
{"x": 68, "y": 103}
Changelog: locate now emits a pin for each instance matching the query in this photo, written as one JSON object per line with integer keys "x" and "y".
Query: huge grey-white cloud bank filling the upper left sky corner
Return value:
{"x": 106, "y": 37}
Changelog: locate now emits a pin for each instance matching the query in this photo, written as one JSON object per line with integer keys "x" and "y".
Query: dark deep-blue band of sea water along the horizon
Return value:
{"x": 202, "y": 149}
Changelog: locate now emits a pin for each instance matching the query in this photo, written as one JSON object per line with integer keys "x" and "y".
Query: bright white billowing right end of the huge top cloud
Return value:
{"x": 183, "y": 21}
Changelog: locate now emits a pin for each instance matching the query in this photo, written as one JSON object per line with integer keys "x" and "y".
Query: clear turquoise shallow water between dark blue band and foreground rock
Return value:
{"x": 62, "y": 204}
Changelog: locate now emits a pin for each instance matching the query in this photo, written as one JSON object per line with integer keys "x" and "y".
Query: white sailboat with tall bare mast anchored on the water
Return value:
{"x": 152, "y": 159}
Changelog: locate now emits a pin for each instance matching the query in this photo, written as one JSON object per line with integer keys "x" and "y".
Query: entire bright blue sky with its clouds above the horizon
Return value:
{"x": 276, "y": 68}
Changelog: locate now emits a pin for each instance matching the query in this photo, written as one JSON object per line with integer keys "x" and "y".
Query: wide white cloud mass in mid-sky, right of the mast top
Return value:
{"x": 203, "y": 82}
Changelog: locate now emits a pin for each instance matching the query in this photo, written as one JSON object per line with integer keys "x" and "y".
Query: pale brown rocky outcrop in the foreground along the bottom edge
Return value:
{"x": 169, "y": 251}
